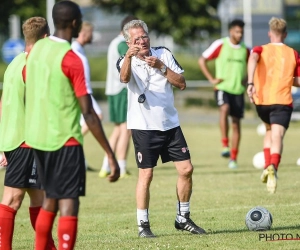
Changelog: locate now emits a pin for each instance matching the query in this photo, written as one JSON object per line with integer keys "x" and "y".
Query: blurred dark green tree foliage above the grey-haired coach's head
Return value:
{"x": 182, "y": 19}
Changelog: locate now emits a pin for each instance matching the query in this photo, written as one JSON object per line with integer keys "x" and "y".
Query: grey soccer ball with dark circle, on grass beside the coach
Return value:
{"x": 258, "y": 219}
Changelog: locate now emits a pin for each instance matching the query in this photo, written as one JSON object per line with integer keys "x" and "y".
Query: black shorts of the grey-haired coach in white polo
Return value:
{"x": 150, "y": 144}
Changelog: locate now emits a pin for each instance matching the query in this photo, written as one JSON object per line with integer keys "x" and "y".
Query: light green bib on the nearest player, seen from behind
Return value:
{"x": 52, "y": 109}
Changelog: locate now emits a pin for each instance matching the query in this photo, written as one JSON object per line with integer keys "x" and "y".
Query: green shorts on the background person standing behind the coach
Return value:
{"x": 118, "y": 107}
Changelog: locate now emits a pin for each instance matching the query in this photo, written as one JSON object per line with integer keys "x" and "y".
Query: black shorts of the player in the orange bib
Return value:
{"x": 275, "y": 114}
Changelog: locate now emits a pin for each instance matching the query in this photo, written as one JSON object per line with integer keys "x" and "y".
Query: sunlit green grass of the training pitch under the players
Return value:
{"x": 221, "y": 198}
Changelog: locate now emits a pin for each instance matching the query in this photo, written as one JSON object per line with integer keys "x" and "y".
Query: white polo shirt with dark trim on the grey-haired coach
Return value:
{"x": 158, "y": 111}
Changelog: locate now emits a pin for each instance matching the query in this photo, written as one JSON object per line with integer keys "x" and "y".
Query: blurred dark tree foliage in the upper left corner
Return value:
{"x": 23, "y": 8}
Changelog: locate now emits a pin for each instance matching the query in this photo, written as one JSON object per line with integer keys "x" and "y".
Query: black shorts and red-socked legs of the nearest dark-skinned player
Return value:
{"x": 62, "y": 193}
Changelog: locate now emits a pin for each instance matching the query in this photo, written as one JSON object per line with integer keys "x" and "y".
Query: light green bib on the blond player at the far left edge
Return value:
{"x": 12, "y": 133}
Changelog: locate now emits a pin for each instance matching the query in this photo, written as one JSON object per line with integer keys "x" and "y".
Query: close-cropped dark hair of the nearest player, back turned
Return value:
{"x": 64, "y": 12}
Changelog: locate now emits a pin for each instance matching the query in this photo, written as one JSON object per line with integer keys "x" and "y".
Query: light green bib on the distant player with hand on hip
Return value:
{"x": 231, "y": 66}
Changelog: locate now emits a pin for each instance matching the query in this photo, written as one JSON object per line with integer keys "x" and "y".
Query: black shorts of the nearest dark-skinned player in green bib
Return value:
{"x": 62, "y": 172}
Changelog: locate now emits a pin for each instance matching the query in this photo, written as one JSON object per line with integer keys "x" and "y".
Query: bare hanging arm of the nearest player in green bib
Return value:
{"x": 95, "y": 126}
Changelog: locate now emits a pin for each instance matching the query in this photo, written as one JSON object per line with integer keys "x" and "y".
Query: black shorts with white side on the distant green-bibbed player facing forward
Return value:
{"x": 236, "y": 102}
